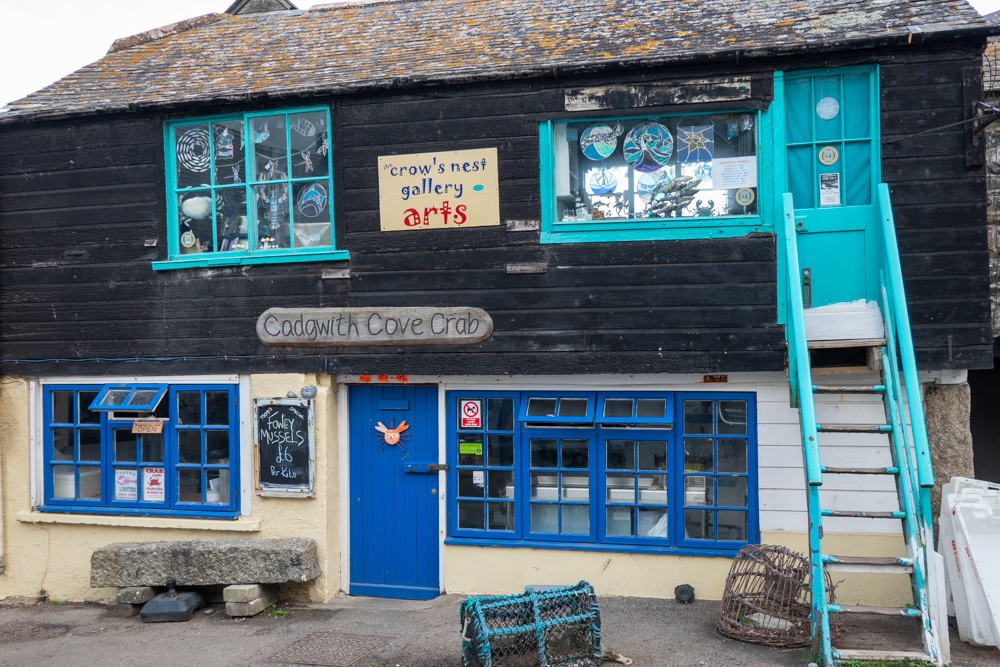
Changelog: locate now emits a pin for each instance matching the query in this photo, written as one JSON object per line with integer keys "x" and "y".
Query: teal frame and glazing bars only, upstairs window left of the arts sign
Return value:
{"x": 176, "y": 260}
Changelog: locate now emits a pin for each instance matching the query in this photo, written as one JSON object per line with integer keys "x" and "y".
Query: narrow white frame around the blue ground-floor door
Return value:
{"x": 344, "y": 461}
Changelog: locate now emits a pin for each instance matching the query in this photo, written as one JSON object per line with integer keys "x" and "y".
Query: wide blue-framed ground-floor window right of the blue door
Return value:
{"x": 598, "y": 479}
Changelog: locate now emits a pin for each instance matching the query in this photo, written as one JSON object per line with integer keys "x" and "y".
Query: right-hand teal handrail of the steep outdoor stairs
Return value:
{"x": 899, "y": 314}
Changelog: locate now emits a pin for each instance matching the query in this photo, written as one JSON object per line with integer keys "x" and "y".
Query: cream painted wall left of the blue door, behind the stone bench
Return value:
{"x": 56, "y": 556}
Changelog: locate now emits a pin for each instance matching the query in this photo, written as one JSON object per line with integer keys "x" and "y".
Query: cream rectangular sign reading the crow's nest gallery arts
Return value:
{"x": 439, "y": 190}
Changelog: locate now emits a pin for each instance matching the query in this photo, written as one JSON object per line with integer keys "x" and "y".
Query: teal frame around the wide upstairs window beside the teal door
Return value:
{"x": 646, "y": 229}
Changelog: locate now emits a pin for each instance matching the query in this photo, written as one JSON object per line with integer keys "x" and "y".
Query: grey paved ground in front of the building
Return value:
{"x": 652, "y": 632}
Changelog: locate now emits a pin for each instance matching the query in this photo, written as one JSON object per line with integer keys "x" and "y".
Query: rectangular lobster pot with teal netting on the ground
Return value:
{"x": 561, "y": 626}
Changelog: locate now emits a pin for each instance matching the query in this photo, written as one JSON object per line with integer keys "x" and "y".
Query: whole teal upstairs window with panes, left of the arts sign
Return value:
{"x": 250, "y": 188}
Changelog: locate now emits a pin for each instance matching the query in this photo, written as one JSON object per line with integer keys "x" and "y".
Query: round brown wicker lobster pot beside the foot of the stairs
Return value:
{"x": 768, "y": 598}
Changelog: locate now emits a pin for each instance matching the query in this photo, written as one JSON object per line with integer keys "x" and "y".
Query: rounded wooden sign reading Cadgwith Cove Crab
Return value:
{"x": 322, "y": 327}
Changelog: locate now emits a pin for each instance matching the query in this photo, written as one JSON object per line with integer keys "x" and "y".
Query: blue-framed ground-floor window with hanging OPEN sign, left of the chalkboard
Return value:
{"x": 95, "y": 463}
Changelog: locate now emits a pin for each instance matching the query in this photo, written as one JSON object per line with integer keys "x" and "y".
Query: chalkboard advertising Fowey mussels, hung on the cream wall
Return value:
{"x": 285, "y": 443}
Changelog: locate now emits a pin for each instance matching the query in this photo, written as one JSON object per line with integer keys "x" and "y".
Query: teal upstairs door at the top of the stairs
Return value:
{"x": 831, "y": 167}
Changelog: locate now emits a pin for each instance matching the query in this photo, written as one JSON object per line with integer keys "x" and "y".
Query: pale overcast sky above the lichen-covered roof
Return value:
{"x": 42, "y": 41}
